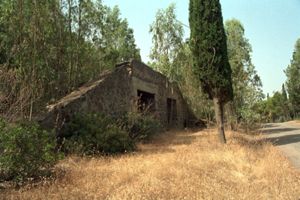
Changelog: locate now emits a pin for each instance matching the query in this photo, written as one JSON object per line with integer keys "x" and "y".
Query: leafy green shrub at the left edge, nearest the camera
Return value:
{"x": 26, "y": 151}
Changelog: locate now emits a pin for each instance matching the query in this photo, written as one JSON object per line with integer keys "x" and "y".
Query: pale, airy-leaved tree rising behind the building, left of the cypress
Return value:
{"x": 167, "y": 37}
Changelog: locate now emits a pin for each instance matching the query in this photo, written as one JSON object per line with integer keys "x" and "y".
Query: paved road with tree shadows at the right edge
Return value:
{"x": 287, "y": 137}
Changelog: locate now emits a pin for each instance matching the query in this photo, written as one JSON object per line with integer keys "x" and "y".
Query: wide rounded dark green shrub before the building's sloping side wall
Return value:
{"x": 95, "y": 133}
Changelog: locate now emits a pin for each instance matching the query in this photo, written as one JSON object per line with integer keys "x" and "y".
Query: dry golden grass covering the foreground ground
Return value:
{"x": 181, "y": 165}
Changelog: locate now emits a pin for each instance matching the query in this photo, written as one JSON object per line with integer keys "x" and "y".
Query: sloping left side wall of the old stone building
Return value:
{"x": 111, "y": 95}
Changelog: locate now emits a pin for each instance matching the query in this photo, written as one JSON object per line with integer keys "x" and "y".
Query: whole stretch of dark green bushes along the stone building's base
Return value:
{"x": 95, "y": 133}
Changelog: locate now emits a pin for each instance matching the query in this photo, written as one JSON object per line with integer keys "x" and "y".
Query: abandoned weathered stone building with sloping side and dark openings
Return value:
{"x": 130, "y": 87}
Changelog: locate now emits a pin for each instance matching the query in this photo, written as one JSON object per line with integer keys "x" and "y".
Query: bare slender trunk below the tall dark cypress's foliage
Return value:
{"x": 219, "y": 112}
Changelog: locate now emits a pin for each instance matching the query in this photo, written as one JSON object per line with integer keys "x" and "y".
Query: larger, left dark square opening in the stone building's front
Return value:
{"x": 146, "y": 102}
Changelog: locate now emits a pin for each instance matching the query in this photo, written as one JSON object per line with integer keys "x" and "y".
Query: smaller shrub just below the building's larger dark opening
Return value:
{"x": 140, "y": 126}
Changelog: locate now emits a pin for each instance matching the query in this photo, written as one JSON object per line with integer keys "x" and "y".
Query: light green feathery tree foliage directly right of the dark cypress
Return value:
{"x": 244, "y": 75}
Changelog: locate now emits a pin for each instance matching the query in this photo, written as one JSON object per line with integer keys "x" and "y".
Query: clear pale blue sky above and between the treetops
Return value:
{"x": 272, "y": 27}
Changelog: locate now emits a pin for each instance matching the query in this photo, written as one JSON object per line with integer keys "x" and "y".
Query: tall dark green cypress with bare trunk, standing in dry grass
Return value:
{"x": 210, "y": 60}
